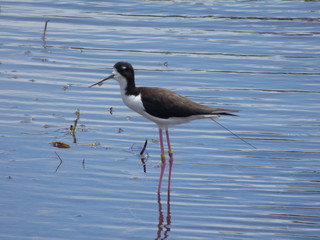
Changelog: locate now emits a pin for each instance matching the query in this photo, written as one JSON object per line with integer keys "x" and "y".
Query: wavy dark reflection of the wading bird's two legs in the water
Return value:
{"x": 163, "y": 224}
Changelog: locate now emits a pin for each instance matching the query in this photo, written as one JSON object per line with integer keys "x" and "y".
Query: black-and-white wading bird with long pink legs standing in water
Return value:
{"x": 161, "y": 106}
